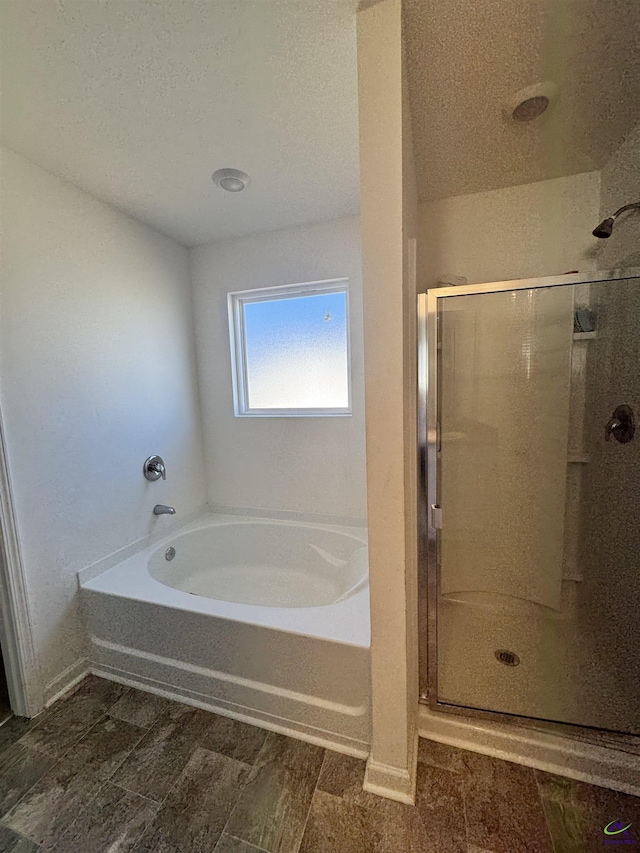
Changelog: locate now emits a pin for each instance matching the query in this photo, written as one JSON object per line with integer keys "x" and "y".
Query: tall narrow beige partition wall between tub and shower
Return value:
{"x": 388, "y": 224}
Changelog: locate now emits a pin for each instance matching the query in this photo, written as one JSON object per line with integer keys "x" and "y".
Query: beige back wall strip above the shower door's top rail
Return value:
{"x": 518, "y": 232}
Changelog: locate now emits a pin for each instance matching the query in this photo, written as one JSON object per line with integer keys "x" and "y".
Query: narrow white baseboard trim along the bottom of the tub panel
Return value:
{"x": 280, "y": 725}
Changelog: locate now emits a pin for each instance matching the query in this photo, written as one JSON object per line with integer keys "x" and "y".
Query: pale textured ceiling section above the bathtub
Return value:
{"x": 139, "y": 101}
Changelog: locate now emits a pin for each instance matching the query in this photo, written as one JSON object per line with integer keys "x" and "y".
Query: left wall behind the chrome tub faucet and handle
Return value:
{"x": 97, "y": 373}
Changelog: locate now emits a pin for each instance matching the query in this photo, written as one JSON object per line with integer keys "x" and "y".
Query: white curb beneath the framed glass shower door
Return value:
{"x": 563, "y": 756}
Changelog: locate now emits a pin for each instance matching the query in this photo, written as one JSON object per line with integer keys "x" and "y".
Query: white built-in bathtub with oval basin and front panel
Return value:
{"x": 262, "y": 620}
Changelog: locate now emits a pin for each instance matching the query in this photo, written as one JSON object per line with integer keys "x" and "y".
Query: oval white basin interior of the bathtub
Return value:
{"x": 266, "y": 564}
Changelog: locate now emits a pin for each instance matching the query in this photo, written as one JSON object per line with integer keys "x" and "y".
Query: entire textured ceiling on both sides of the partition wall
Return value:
{"x": 139, "y": 101}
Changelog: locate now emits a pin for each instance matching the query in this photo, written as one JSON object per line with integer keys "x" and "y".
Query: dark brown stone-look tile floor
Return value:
{"x": 109, "y": 769}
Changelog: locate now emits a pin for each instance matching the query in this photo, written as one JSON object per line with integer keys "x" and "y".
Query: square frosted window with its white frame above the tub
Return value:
{"x": 290, "y": 350}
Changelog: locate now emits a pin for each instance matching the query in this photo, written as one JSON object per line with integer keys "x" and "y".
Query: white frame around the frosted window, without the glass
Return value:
{"x": 236, "y": 302}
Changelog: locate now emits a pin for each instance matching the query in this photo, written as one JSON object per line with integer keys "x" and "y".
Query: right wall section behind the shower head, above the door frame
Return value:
{"x": 620, "y": 184}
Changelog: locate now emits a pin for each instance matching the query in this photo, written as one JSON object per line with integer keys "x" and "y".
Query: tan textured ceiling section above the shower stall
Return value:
{"x": 467, "y": 58}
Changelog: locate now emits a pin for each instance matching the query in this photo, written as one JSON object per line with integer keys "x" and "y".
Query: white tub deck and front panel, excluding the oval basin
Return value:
{"x": 303, "y": 671}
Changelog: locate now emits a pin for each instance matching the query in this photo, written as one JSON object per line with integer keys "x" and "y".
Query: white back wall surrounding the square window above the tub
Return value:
{"x": 308, "y": 465}
